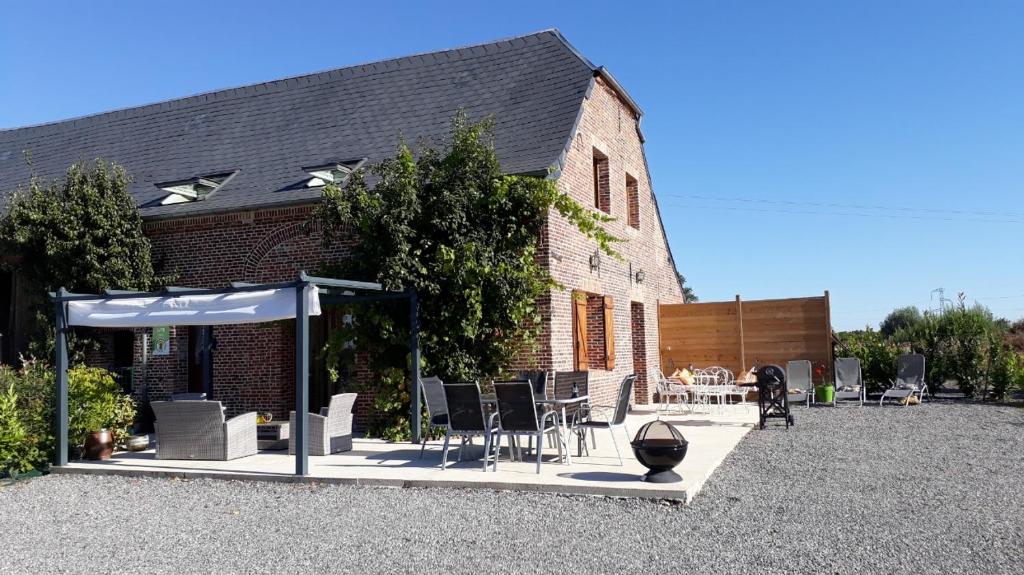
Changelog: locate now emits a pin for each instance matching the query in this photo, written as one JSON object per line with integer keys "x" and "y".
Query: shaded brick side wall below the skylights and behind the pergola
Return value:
{"x": 254, "y": 366}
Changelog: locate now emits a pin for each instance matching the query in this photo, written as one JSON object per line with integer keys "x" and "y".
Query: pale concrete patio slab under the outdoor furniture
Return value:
{"x": 712, "y": 437}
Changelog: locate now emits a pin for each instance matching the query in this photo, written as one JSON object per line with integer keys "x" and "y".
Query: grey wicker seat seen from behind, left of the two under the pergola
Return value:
{"x": 197, "y": 430}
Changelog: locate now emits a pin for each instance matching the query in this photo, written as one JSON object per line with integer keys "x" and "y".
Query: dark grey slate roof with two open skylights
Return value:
{"x": 534, "y": 85}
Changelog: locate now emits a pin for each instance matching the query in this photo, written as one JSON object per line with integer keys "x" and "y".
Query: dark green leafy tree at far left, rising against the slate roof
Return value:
{"x": 82, "y": 233}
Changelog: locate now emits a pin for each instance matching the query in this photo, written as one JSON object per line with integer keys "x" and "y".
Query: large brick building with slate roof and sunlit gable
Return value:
{"x": 226, "y": 182}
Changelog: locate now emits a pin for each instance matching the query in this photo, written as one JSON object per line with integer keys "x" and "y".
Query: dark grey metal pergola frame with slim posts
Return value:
{"x": 302, "y": 286}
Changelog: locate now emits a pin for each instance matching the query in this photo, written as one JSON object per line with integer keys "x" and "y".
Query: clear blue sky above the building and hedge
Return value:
{"x": 872, "y": 149}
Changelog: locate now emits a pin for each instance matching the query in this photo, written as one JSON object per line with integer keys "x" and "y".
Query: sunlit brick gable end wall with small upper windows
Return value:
{"x": 608, "y": 125}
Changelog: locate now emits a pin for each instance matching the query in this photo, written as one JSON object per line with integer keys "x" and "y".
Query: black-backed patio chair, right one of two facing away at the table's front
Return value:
{"x": 518, "y": 416}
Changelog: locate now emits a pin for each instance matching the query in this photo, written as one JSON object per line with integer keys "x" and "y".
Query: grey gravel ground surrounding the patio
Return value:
{"x": 927, "y": 490}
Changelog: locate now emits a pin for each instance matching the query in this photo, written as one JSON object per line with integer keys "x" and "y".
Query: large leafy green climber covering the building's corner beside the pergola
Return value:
{"x": 450, "y": 225}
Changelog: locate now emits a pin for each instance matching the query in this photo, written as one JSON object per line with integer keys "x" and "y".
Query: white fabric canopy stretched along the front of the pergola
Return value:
{"x": 204, "y": 309}
